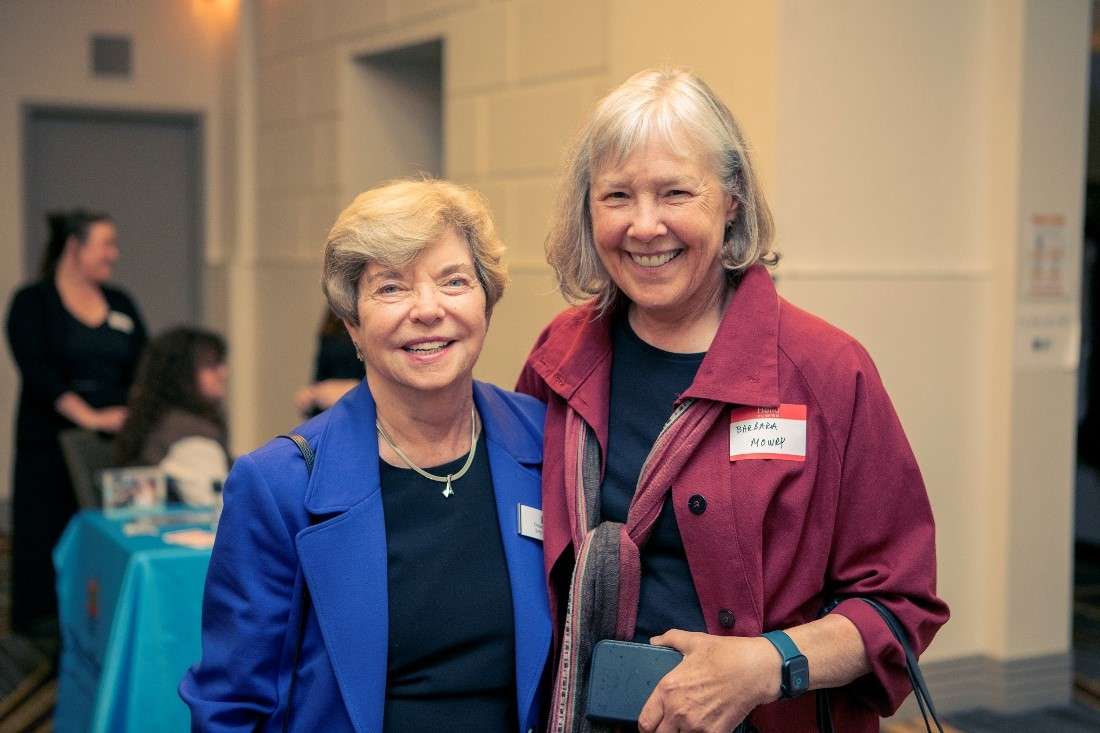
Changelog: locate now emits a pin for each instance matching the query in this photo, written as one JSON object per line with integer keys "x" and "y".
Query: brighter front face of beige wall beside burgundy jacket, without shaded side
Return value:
{"x": 878, "y": 196}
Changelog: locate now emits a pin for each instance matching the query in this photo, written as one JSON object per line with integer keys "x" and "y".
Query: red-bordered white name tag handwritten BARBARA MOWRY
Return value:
{"x": 775, "y": 433}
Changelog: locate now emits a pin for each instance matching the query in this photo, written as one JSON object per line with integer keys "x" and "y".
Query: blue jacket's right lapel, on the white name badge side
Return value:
{"x": 514, "y": 454}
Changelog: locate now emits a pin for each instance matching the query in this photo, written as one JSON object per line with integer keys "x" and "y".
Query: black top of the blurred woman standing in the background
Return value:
{"x": 58, "y": 354}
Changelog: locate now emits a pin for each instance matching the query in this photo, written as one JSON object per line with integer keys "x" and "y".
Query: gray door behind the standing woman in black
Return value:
{"x": 144, "y": 170}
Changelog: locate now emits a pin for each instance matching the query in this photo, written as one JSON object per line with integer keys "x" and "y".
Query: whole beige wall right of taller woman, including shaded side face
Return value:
{"x": 916, "y": 143}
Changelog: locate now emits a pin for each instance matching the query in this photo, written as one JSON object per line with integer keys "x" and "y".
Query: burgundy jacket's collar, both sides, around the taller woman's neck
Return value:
{"x": 742, "y": 366}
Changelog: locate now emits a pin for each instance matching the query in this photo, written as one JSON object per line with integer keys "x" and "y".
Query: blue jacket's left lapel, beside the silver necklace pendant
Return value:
{"x": 345, "y": 557}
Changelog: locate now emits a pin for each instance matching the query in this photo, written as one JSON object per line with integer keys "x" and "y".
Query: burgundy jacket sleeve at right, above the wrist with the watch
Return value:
{"x": 884, "y": 546}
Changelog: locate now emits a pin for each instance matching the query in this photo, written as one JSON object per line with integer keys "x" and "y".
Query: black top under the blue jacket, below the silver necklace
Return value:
{"x": 453, "y": 657}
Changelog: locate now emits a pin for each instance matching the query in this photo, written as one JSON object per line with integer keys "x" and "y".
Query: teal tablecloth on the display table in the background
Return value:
{"x": 130, "y": 617}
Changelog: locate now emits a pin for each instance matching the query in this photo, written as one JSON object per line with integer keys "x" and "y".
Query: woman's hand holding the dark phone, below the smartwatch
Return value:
{"x": 721, "y": 681}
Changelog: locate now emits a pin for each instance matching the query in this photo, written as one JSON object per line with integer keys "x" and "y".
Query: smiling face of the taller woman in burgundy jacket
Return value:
{"x": 659, "y": 222}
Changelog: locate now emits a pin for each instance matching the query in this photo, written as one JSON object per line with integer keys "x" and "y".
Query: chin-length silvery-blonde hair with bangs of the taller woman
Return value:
{"x": 674, "y": 106}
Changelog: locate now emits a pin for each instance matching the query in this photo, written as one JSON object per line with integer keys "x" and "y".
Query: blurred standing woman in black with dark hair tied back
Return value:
{"x": 76, "y": 343}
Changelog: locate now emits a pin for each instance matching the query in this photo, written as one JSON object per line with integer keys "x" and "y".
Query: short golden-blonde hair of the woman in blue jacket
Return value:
{"x": 392, "y": 224}
